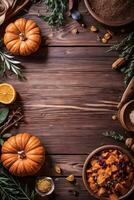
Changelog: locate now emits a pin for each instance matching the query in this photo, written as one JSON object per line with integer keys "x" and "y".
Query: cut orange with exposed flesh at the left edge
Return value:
{"x": 7, "y": 93}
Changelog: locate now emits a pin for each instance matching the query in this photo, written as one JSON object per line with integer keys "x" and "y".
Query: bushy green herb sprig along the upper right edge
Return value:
{"x": 126, "y": 51}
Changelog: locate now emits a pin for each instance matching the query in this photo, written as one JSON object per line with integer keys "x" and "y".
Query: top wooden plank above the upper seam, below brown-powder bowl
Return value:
{"x": 63, "y": 36}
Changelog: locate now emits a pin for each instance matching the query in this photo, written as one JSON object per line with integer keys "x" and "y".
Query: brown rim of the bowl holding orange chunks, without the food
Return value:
{"x": 84, "y": 175}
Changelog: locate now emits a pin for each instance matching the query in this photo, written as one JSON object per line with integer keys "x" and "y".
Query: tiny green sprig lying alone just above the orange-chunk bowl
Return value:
{"x": 114, "y": 135}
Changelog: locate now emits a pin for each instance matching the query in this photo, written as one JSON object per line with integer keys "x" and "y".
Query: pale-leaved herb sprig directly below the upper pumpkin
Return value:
{"x": 8, "y": 63}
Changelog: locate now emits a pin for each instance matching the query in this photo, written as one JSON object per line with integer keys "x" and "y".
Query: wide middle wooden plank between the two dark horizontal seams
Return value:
{"x": 69, "y": 98}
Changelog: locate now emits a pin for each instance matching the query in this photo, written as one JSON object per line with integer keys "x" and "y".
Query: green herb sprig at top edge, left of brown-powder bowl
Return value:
{"x": 57, "y": 9}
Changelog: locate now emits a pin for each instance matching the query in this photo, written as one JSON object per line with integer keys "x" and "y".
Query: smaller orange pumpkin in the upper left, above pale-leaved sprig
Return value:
{"x": 22, "y": 37}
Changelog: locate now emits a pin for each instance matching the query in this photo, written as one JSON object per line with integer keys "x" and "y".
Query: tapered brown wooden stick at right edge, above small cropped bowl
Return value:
{"x": 128, "y": 93}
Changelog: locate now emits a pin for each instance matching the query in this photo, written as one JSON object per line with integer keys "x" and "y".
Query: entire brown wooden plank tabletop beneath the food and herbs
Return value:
{"x": 69, "y": 98}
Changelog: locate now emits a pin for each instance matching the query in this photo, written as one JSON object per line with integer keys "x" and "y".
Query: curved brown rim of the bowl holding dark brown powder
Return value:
{"x": 106, "y": 22}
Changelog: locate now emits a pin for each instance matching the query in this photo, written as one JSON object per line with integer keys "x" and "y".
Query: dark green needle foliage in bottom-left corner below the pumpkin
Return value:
{"x": 11, "y": 188}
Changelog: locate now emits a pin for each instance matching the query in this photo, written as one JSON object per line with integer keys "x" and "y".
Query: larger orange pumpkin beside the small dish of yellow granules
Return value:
{"x": 23, "y": 154}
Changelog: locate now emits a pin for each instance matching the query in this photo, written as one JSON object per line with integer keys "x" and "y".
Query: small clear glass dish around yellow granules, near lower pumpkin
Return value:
{"x": 41, "y": 192}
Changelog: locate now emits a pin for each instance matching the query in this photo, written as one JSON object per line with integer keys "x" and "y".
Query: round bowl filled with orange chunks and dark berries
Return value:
{"x": 108, "y": 173}
